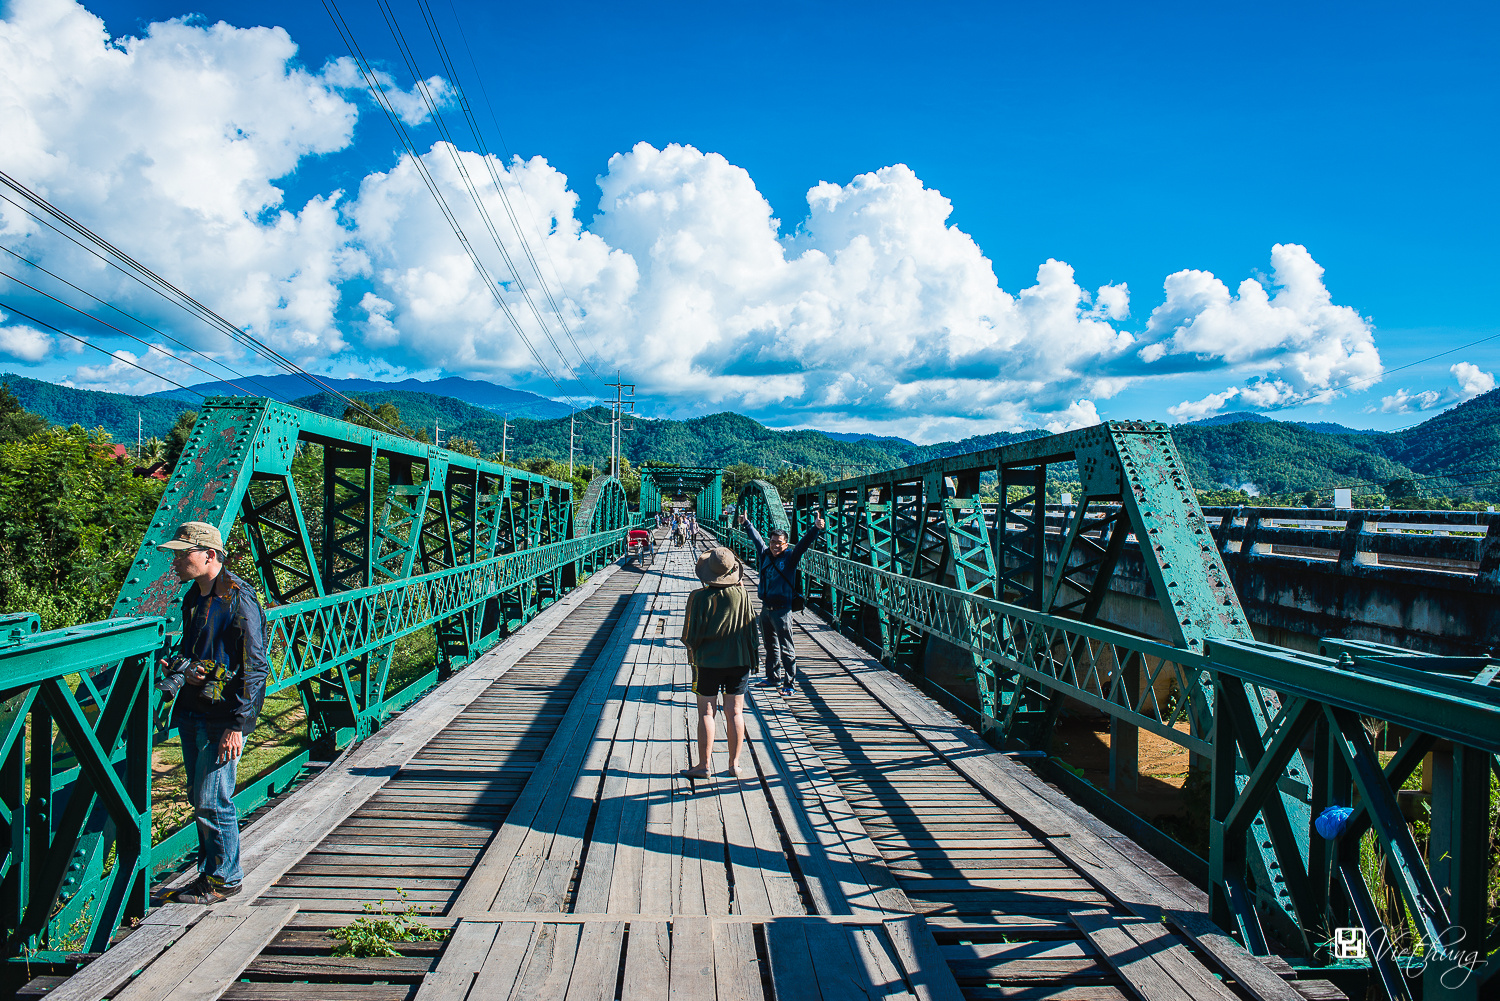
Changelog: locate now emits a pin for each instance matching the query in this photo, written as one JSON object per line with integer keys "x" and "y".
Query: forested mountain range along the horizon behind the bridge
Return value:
{"x": 1454, "y": 454}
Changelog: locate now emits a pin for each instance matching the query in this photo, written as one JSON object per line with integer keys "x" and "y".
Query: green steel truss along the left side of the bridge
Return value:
{"x": 395, "y": 538}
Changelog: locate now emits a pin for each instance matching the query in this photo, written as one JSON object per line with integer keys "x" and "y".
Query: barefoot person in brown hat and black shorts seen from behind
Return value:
{"x": 719, "y": 634}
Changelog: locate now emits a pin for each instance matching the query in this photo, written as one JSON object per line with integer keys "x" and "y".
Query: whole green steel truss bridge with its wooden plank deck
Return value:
{"x": 886, "y": 838}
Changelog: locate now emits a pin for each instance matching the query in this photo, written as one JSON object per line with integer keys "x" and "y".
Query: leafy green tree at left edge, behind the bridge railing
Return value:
{"x": 71, "y": 520}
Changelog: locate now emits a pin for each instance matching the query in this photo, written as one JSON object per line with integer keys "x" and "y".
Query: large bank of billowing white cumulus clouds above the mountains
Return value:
{"x": 869, "y": 310}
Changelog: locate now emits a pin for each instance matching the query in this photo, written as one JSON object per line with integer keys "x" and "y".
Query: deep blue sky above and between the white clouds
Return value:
{"x": 1129, "y": 143}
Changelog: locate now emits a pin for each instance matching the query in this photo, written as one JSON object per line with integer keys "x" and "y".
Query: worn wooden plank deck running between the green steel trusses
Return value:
{"x": 532, "y": 807}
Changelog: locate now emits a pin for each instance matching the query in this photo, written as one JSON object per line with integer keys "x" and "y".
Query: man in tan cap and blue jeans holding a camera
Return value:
{"x": 220, "y": 684}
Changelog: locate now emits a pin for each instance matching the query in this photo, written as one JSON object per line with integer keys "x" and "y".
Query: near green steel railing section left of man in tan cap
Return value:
{"x": 76, "y": 780}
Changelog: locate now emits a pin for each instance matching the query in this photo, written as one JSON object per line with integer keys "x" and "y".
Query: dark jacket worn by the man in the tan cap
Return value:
{"x": 244, "y": 643}
